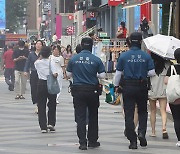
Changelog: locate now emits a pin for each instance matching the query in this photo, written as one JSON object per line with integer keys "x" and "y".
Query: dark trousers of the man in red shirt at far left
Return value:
{"x": 9, "y": 76}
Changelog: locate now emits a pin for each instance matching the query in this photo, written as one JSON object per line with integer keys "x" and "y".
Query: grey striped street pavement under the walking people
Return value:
{"x": 20, "y": 133}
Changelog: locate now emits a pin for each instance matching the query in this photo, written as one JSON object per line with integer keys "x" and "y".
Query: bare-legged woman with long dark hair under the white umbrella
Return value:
{"x": 157, "y": 93}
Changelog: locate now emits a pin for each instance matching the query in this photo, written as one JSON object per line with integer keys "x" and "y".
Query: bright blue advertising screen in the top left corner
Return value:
{"x": 2, "y": 15}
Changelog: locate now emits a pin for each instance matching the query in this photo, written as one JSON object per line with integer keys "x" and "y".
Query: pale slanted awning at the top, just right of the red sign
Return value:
{"x": 131, "y": 3}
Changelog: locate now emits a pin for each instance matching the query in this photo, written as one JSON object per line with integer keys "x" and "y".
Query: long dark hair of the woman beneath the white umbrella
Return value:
{"x": 159, "y": 63}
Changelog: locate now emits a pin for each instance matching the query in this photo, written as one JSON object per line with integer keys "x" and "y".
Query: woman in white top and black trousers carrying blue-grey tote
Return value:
{"x": 42, "y": 67}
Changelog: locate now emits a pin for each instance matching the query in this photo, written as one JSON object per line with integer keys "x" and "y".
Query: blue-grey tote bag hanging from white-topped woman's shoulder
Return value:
{"x": 52, "y": 82}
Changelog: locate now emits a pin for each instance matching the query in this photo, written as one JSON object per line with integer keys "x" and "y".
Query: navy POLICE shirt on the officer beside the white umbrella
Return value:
{"x": 135, "y": 64}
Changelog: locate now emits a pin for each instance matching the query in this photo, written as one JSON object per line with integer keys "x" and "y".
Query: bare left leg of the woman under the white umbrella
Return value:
{"x": 153, "y": 116}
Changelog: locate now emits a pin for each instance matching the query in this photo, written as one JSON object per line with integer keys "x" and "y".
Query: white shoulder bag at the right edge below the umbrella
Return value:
{"x": 173, "y": 87}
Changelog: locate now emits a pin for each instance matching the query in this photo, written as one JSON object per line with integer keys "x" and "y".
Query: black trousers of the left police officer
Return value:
{"x": 83, "y": 100}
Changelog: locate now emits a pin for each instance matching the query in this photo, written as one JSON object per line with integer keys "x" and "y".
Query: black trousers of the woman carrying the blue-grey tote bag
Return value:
{"x": 42, "y": 96}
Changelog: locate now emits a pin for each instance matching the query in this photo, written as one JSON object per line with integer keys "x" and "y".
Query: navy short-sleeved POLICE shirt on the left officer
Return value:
{"x": 84, "y": 68}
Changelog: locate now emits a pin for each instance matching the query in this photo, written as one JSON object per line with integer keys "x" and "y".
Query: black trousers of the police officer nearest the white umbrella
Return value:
{"x": 135, "y": 94}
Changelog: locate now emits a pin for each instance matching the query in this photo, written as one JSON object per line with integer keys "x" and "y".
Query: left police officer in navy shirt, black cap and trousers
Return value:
{"x": 85, "y": 69}
